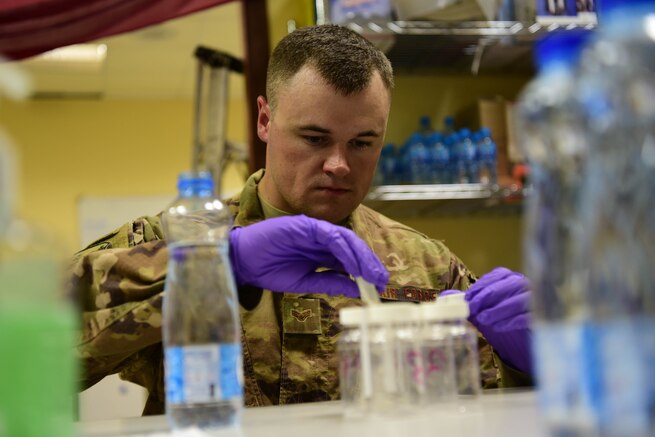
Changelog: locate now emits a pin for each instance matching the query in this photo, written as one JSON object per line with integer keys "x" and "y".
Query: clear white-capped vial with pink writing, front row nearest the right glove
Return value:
{"x": 438, "y": 359}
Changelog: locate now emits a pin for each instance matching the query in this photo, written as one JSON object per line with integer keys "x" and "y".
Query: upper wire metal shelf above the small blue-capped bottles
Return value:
{"x": 478, "y": 47}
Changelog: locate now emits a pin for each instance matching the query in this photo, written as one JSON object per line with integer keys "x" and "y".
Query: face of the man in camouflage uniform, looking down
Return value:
{"x": 322, "y": 146}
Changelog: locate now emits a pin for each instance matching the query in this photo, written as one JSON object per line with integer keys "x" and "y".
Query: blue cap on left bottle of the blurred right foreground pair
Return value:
{"x": 561, "y": 47}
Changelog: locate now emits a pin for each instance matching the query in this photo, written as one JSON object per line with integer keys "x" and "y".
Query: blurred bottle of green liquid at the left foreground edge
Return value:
{"x": 37, "y": 324}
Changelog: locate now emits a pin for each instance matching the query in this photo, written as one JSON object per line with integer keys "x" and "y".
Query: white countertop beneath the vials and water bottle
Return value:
{"x": 496, "y": 413}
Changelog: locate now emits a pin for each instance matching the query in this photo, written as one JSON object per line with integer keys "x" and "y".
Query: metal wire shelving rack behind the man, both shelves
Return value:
{"x": 442, "y": 47}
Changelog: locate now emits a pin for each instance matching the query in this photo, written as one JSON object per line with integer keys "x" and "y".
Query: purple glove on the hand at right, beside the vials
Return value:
{"x": 500, "y": 308}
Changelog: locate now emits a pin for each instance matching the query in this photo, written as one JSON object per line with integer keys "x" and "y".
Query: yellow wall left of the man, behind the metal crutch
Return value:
{"x": 70, "y": 149}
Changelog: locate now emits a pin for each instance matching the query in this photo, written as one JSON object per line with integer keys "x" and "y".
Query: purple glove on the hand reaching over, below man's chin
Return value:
{"x": 283, "y": 253}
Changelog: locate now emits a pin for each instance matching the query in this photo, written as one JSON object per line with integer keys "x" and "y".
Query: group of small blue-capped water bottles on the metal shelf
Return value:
{"x": 430, "y": 156}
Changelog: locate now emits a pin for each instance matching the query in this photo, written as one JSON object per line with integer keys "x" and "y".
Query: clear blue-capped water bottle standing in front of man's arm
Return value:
{"x": 201, "y": 330}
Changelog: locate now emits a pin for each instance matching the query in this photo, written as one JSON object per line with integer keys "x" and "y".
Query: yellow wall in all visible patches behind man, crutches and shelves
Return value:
{"x": 71, "y": 149}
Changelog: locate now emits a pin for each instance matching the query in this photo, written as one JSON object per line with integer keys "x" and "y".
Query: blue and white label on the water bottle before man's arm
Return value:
{"x": 203, "y": 373}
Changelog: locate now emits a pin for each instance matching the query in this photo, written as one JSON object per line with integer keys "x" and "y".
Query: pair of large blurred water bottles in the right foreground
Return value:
{"x": 590, "y": 241}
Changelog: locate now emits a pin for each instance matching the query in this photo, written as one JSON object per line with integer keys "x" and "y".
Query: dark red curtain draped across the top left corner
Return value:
{"x": 30, "y": 27}
